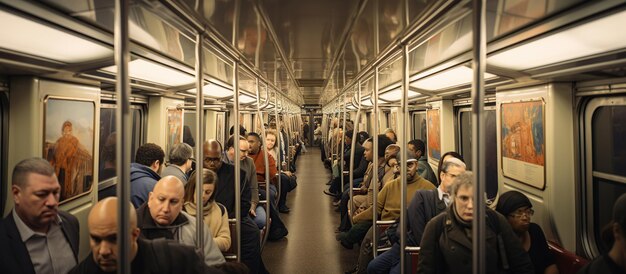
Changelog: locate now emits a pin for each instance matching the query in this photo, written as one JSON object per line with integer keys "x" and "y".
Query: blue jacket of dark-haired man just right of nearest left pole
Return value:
{"x": 142, "y": 181}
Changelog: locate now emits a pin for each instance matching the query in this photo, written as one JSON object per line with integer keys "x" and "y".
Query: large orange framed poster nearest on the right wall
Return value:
{"x": 523, "y": 142}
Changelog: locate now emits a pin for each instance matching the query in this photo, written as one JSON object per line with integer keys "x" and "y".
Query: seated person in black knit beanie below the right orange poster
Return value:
{"x": 516, "y": 207}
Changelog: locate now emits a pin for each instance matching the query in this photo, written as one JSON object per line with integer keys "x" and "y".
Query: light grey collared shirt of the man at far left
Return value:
{"x": 49, "y": 252}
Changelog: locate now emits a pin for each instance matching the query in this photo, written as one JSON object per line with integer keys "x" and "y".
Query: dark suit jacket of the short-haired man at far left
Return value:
{"x": 14, "y": 257}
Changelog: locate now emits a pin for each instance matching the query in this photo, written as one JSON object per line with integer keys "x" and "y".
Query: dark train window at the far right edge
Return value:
{"x": 608, "y": 176}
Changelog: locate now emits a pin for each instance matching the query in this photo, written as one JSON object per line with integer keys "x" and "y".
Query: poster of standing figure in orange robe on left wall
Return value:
{"x": 69, "y": 144}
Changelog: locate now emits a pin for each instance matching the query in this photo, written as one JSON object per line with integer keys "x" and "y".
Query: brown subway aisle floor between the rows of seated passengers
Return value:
{"x": 310, "y": 246}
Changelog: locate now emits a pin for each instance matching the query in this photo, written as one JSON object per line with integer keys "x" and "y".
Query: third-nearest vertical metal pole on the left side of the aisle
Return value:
{"x": 236, "y": 160}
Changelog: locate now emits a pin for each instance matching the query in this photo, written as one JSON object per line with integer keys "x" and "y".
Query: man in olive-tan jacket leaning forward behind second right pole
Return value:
{"x": 388, "y": 204}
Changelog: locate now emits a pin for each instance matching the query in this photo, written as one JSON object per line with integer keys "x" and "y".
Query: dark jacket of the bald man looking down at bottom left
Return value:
{"x": 156, "y": 256}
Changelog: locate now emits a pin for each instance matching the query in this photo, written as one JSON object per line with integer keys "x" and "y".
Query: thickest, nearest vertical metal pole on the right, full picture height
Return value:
{"x": 478, "y": 135}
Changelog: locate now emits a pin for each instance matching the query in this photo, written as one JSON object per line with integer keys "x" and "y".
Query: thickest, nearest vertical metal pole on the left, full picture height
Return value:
{"x": 123, "y": 138}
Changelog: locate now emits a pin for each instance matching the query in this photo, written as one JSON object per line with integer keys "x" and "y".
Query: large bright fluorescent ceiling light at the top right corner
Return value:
{"x": 602, "y": 35}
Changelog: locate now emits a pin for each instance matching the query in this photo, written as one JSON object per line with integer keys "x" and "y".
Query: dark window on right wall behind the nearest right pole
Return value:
{"x": 465, "y": 146}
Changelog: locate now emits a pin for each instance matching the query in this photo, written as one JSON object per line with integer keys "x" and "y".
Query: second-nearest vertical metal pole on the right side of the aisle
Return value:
{"x": 404, "y": 111}
